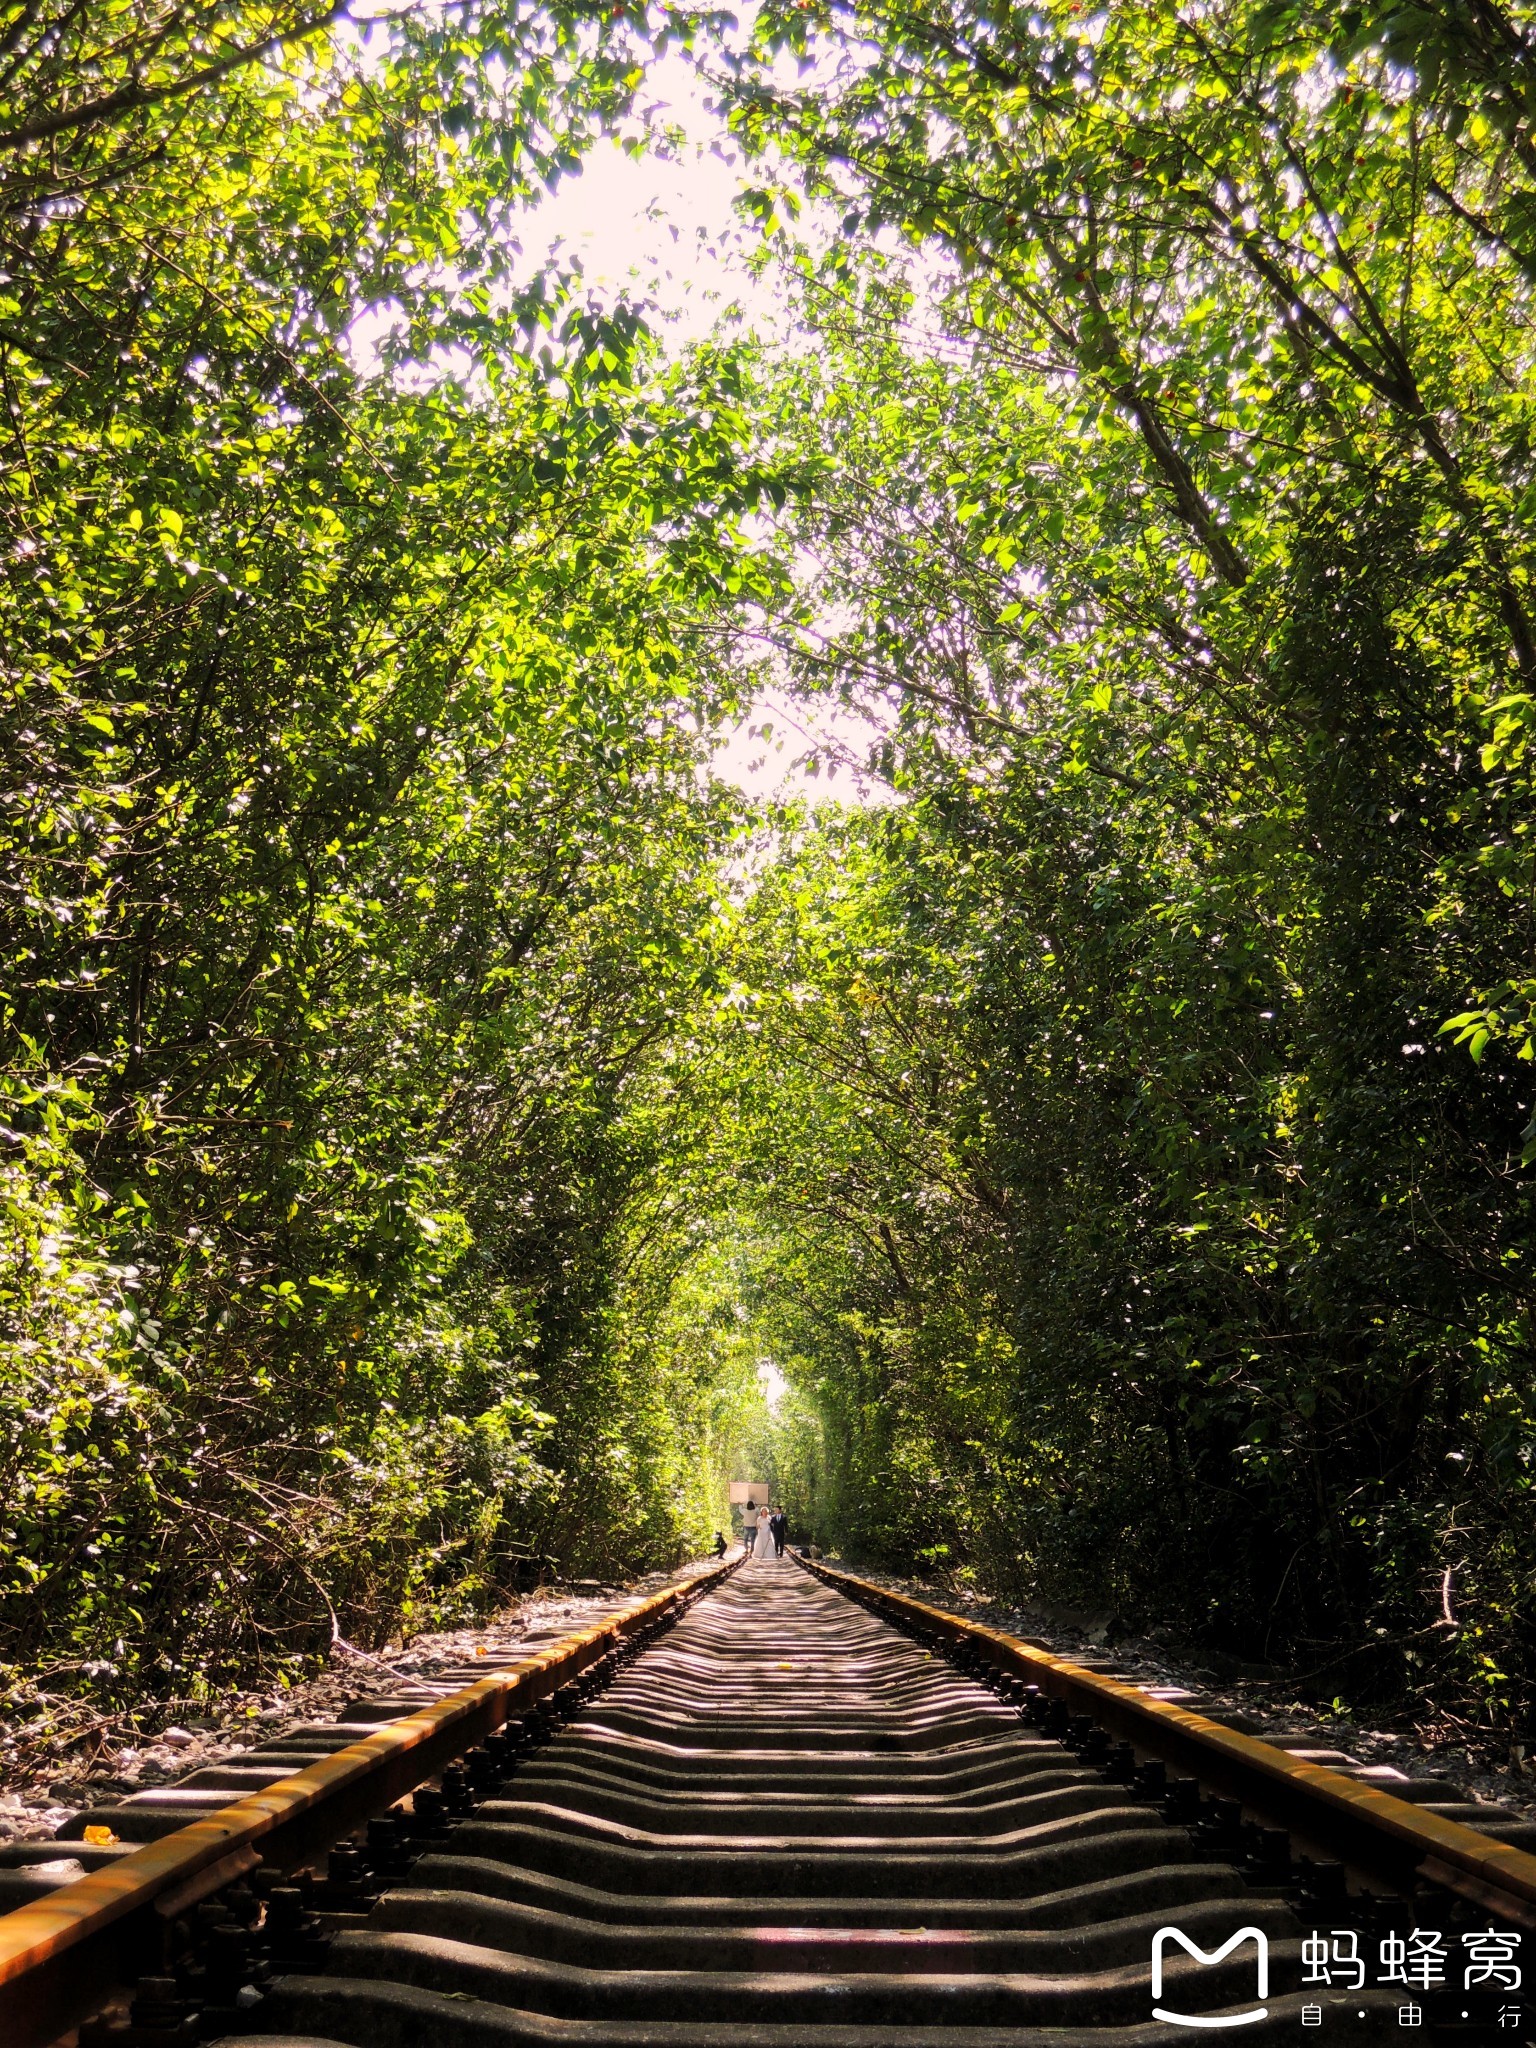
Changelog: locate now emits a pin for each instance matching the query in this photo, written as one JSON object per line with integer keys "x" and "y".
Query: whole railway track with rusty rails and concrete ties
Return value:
{"x": 783, "y": 1809}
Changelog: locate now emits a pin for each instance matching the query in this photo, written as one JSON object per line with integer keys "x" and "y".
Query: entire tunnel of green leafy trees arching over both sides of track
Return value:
{"x": 429, "y": 1097}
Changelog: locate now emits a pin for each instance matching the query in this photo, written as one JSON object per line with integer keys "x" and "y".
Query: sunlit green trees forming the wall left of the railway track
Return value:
{"x": 357, "y": 859}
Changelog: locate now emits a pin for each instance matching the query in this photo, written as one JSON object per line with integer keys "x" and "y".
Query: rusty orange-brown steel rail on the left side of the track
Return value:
{"x": 67, "y": 1955}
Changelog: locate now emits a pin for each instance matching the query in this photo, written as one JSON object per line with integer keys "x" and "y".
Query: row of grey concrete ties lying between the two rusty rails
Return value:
{"x": 790, "y": 1828}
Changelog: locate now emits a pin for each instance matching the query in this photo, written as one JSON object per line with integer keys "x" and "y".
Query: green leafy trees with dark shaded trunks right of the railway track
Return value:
{"x": 1156, "y": 1240}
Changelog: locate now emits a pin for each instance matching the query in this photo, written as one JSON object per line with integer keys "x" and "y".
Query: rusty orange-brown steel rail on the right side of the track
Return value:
{"x": 1326, "y": 1811}
